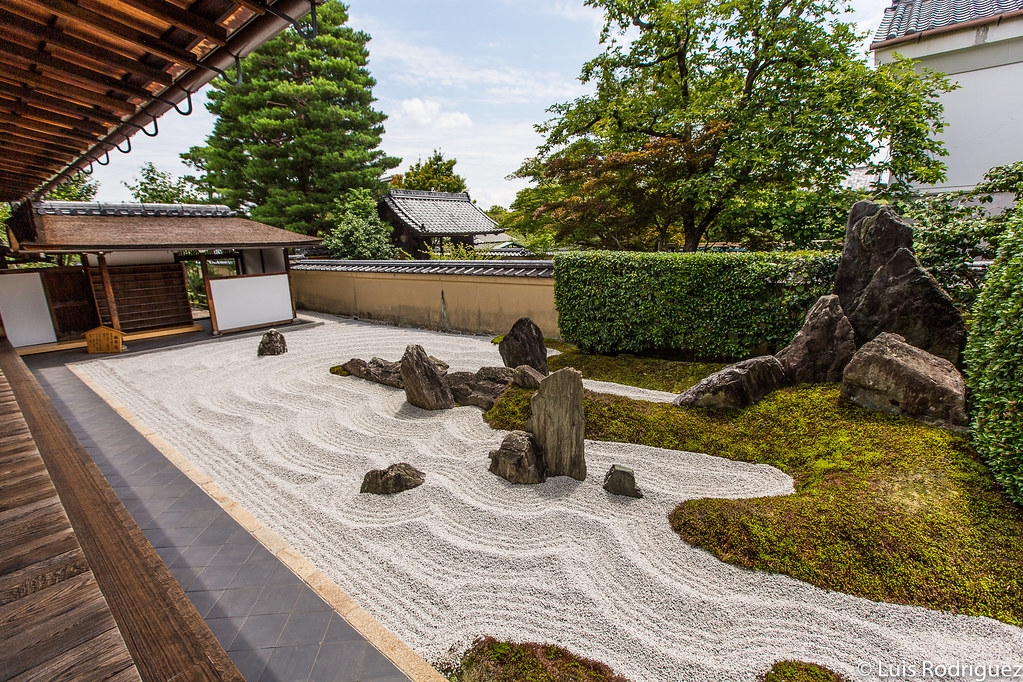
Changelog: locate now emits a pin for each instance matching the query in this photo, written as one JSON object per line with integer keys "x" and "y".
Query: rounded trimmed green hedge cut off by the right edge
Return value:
{"x": 995, "y": 365}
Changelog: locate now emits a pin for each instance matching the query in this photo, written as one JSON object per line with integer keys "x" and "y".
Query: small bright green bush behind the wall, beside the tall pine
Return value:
{"x": 359, "y": 232}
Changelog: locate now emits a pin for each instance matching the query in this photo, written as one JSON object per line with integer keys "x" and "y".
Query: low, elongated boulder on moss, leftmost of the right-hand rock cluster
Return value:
{"x": 737, "y": 386}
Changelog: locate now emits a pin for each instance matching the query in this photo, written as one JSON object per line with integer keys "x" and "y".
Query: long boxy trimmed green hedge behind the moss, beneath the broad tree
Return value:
{"x": 704, "y": 306}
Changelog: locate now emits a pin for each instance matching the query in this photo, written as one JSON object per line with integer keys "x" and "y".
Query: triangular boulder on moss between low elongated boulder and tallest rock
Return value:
{"x": 823, "y": 348}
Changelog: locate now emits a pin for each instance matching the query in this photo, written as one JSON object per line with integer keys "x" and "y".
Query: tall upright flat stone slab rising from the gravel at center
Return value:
{"x": 559, "y": 424}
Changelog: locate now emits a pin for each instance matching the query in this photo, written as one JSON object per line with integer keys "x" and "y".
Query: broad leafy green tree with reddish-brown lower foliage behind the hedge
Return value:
{"x": 697, "y": 105}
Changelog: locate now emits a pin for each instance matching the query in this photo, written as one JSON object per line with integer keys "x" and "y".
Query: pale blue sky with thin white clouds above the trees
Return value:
{"x": 466, "y": 77}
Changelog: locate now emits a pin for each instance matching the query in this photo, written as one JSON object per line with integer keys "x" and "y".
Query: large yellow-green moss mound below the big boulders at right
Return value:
{"x": 884, "y": 509}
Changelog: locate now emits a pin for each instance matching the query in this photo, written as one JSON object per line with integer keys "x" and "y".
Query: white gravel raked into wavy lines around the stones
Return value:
{"x": 468, "y": 555}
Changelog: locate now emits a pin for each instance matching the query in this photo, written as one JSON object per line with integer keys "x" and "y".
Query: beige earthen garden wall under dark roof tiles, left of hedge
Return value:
{"x": 480, "y": 305}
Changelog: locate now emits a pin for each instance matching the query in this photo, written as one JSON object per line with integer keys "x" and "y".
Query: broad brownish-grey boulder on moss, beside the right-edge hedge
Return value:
{"x": 891, "y": 376}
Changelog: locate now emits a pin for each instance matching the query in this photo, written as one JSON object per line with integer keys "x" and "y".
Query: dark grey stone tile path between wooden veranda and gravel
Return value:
{"x": 272, "y": 624}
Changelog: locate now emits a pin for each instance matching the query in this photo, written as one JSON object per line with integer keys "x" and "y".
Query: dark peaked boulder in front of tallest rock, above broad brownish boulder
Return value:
{"x": 904, "y": 299}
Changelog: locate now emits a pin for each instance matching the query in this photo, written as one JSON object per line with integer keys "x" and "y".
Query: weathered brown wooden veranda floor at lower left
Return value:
{"x": 83, "y": 596}
